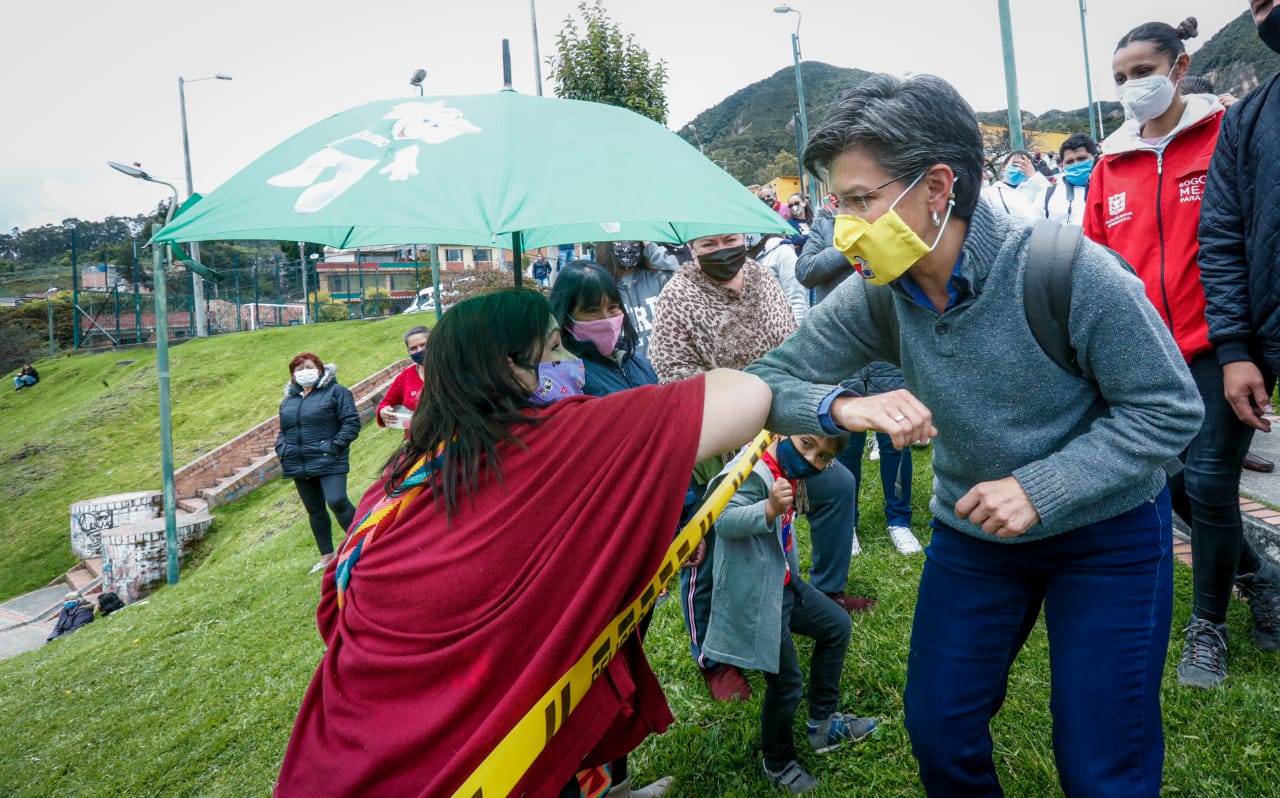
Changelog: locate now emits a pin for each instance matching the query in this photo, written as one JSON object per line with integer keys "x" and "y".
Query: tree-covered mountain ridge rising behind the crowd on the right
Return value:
{"x": 752, "y": 133}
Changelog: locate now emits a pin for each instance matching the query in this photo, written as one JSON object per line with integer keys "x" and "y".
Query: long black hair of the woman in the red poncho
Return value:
{"x": 472, "y": 400}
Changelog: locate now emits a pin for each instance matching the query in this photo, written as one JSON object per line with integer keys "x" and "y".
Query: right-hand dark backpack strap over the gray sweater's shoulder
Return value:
{"x": 1048, "y": 289}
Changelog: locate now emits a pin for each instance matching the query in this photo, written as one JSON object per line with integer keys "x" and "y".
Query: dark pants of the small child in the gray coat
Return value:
{"x": 810, "y": 613}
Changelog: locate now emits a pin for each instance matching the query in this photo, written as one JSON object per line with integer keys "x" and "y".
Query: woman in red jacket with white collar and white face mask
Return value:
{"x": 1145, "y": 203}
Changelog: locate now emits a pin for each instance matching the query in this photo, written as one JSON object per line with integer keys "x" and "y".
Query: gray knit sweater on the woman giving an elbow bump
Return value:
{"x": 1084, "y": 449}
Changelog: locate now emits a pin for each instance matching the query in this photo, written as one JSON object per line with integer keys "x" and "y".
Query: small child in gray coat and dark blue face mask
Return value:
{"x": 760, "y": 601}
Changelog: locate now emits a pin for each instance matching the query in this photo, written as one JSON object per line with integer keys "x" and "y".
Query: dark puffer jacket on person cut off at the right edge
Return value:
{"x": 1240, "y": 239}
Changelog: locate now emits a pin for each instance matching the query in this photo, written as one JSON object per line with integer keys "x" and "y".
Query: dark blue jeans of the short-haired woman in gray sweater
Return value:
{"x": 1108, "y": 598}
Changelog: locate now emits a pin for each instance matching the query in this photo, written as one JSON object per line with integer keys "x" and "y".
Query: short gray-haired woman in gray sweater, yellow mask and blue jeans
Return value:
{"x": 1049, "y": 484}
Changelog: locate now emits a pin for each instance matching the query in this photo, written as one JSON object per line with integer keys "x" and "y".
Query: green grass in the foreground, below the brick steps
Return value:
{"x": 195, "y": 692}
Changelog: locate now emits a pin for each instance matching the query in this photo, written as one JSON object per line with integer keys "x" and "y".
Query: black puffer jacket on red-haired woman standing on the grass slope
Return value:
{"x": 317, "y": 430}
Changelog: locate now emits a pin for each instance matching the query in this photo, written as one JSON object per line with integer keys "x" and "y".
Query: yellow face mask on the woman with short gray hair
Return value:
{"x": 884, "y": 250}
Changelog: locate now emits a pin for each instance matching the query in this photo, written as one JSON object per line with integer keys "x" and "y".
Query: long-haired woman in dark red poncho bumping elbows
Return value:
{"x": 479, "y": 594}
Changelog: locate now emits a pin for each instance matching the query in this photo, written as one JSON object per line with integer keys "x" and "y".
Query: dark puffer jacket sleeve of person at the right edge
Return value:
{"x": 1224, "y": 268}
